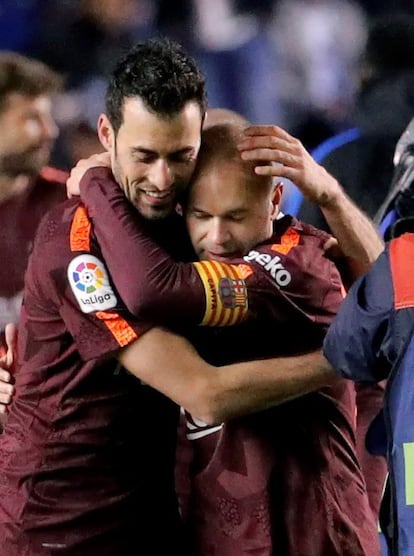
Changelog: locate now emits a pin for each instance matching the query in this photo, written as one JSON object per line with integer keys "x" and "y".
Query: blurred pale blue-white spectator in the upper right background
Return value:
{"x": 318, "y": 43}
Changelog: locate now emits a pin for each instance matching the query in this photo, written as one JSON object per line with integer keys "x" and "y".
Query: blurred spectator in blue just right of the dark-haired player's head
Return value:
{"x": 230, "y": 40}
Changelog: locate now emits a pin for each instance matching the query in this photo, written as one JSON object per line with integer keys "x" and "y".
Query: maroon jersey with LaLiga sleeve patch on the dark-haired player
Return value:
{"x": 87, "y": 455}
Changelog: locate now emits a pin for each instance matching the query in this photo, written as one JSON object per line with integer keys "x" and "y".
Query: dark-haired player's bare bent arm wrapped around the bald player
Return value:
{"x": 170, "y": 364}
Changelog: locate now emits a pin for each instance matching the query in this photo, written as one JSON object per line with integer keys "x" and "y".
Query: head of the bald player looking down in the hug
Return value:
{"x": 229, "y": 208}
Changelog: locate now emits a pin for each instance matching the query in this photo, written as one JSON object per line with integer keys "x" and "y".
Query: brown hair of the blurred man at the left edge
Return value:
{"x": 27, "y": 76}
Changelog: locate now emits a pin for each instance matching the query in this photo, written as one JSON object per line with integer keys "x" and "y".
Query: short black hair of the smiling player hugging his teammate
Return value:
{"x": 161, "y": 74}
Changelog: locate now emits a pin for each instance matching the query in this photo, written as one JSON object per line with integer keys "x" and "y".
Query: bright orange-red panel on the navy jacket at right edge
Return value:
{"x": 402, "y": 270}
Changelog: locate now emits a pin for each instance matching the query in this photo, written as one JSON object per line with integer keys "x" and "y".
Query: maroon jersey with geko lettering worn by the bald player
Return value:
{"x": 285, "y": 481}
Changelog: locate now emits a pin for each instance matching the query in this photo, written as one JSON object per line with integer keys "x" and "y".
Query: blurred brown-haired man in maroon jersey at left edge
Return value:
{"x": 28, "y": 188}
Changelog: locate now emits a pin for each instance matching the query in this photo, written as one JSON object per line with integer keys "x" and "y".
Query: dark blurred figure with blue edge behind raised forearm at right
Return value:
{"x": 363, "y": 163}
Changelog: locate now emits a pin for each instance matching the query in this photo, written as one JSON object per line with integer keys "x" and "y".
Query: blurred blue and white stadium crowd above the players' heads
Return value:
{"x": 296, "y": 63}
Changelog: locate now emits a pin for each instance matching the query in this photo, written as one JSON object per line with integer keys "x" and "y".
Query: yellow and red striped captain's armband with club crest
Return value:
{"x": 225, "y": 293}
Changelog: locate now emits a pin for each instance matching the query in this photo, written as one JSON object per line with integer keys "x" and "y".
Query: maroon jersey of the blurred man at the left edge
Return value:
{"x": 20, "y": 217}
